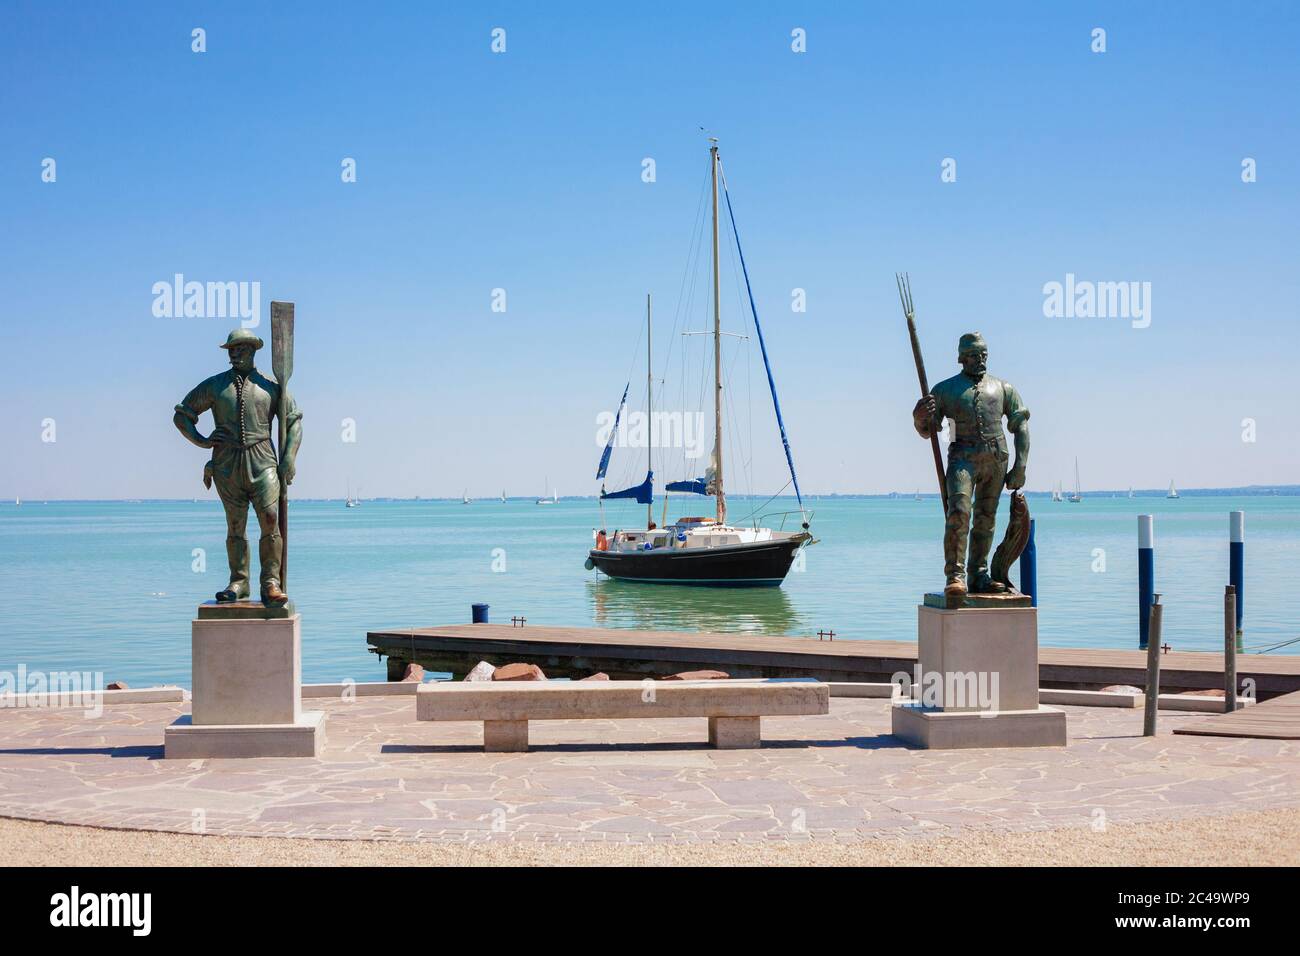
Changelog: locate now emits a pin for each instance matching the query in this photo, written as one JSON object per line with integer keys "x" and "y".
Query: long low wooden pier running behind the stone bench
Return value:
{"x": 626, "y": 655}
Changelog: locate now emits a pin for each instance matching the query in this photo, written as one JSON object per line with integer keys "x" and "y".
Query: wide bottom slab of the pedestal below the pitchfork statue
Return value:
{"x": 948, "y": 730}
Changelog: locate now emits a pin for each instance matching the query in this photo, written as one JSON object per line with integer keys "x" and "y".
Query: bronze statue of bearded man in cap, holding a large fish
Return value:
{"x": 977, "y": 468}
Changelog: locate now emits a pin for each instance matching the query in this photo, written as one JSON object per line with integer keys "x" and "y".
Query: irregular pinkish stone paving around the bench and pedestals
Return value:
{"x": 839, "y": 777}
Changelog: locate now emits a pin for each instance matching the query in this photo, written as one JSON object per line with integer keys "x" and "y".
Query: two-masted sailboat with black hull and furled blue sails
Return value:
{"x": 701, "y": 551}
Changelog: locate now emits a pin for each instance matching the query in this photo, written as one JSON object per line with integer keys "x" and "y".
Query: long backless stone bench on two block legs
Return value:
{"x": 734, "y": 708}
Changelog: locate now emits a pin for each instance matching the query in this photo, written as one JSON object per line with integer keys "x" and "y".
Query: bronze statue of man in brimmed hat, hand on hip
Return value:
{"x": 244, "y": 462}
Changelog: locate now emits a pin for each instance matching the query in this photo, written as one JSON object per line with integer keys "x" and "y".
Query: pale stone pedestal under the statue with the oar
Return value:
{"x": 248, "y": 693}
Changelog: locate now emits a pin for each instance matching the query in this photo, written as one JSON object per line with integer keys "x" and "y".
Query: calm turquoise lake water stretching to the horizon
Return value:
{"x": 110, "y": 586}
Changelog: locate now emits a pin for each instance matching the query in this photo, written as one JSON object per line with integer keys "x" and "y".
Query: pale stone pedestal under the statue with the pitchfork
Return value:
{"x": 978, "y": 682}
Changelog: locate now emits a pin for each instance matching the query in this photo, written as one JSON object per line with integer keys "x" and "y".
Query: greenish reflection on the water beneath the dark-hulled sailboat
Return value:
{"x": 686, "y": 608}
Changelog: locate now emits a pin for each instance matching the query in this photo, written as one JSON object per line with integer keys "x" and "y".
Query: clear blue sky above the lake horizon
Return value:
{"x": 523, "y": 171}
